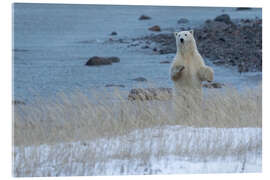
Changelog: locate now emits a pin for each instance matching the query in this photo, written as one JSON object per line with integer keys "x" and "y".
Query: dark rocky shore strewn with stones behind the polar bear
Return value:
{"x": 222, "y": 40}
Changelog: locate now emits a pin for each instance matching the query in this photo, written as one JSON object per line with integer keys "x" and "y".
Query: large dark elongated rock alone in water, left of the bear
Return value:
{"x": 97, "y": 61}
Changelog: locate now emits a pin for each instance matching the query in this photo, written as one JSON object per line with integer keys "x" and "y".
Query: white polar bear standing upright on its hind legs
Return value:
{"x": 188, "y": 69}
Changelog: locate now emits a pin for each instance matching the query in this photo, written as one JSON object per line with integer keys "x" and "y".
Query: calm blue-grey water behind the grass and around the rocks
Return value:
{"x": 49, "y": 55}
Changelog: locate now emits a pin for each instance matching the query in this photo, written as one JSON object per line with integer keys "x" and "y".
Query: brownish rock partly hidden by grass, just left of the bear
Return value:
{"x": 150, "y": 94}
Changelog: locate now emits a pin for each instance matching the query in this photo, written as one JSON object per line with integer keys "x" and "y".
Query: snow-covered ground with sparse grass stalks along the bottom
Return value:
{"x": 160, "y": 150}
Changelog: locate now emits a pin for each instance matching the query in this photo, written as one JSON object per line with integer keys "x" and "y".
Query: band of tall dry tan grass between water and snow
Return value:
{"x": 76, "y": 117}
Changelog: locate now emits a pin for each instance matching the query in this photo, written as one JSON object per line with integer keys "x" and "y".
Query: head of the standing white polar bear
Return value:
{"x": 185, "y": 41}
